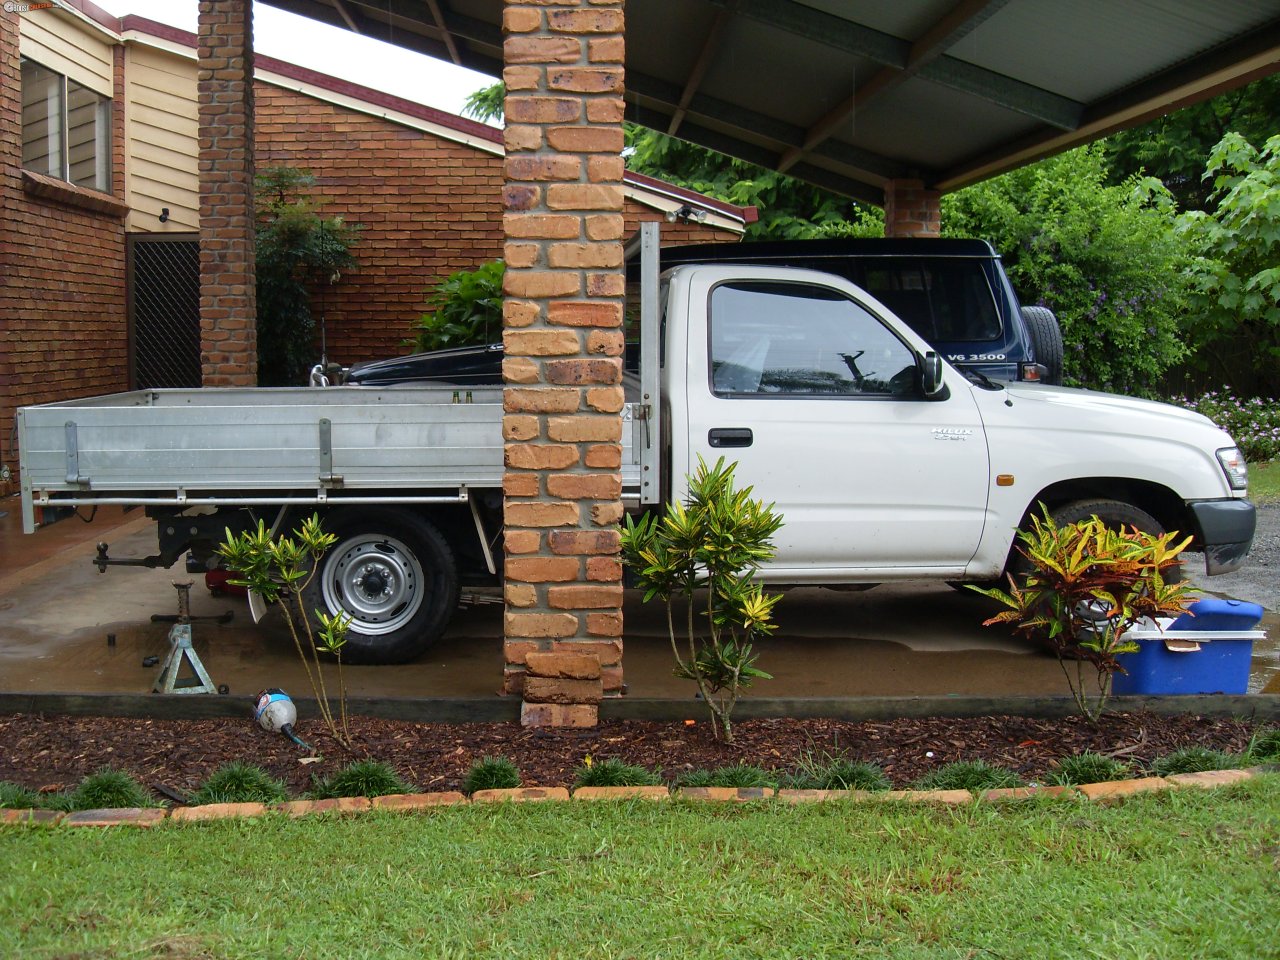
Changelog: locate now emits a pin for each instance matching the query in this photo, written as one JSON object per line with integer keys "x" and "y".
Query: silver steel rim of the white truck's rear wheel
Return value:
{"x": 376, "y": 580}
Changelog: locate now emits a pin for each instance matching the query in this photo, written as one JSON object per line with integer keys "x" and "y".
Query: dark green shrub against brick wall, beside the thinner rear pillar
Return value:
{"x": 298, "y": 250}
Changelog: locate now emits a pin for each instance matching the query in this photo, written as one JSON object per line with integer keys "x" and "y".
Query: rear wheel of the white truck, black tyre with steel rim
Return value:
{"x": 395, "y": 575}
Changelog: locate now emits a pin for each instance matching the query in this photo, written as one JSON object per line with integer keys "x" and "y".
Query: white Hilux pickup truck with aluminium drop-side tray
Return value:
{"x": 885, "y": 461}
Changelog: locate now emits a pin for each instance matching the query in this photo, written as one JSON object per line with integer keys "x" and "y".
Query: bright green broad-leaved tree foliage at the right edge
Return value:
{"x": 1236, "y": 273}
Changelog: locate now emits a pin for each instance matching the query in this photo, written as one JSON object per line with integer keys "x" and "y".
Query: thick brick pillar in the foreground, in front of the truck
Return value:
{"x": 564, "y": 355}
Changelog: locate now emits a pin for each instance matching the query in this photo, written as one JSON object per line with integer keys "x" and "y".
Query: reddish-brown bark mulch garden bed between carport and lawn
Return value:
{"x": 175, "y": 757}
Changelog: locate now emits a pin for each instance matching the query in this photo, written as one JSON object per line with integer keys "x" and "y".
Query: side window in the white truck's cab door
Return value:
{"x": 799, "y": 340}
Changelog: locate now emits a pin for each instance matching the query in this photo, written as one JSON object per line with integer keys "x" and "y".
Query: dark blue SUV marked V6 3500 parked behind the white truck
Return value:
{"x": 953, "y": 292}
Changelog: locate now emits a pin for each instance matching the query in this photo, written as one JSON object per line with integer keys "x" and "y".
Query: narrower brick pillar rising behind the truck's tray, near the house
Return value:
{"x": 228, "y": 335}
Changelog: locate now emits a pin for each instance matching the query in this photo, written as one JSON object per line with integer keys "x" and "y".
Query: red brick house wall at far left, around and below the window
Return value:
{"x": 63, "y": 331}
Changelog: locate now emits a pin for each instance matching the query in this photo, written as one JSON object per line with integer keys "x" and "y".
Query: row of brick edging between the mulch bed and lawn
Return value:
{"x": 1108, "y": 792}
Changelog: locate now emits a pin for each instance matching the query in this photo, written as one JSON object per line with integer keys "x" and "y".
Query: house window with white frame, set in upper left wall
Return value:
{"x": 66, "y": 129}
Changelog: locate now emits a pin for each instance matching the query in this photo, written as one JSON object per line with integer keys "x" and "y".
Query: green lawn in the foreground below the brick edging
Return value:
{"x": 1183, "y": 874}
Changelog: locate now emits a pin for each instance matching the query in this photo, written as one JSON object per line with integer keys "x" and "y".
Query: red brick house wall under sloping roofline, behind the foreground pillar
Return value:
{"x": 428, "y": 207}
